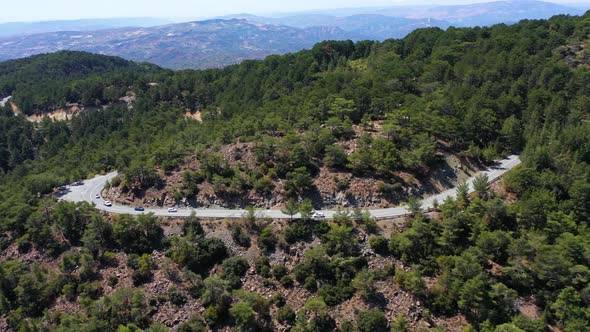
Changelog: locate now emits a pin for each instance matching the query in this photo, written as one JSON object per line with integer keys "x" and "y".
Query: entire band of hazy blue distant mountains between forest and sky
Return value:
{"x": 234, "y": 38}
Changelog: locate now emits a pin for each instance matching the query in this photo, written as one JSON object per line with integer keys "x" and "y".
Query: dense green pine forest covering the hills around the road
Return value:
{"x": 483, "y": 92}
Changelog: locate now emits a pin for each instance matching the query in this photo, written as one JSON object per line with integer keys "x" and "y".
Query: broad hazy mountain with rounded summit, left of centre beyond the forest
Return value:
{"x": 204, "y": 44}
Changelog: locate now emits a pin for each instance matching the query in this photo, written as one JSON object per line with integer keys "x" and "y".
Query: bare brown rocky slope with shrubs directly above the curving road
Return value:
{"x": 326, "y": 186}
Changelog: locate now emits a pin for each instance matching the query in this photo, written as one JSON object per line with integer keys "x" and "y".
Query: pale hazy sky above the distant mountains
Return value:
{"x": 38, "y": 10}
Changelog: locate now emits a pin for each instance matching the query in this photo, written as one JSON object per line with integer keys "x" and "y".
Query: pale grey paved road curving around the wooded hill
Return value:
{"x": 90, "y": 188}
